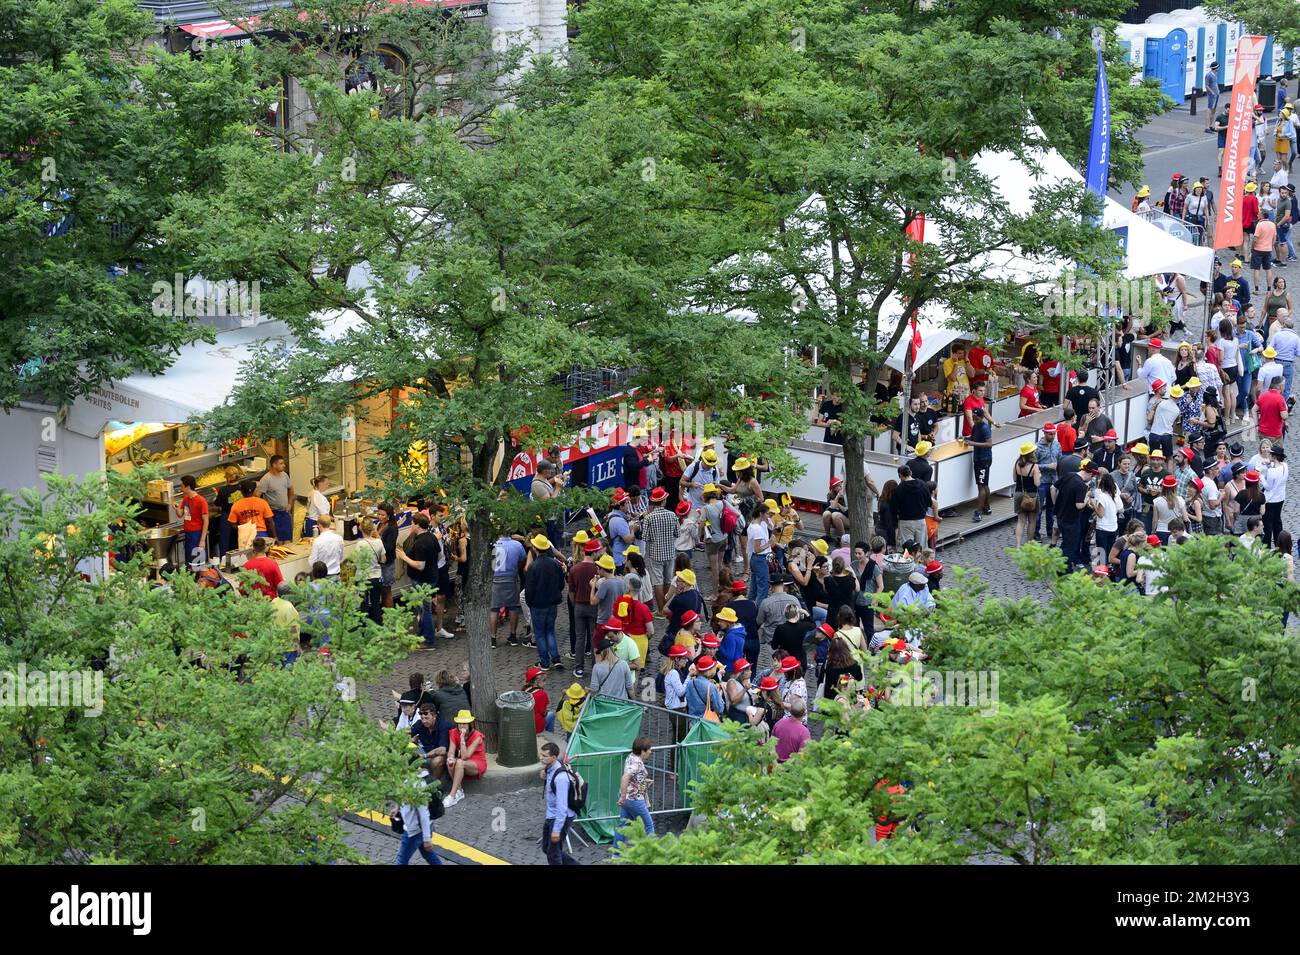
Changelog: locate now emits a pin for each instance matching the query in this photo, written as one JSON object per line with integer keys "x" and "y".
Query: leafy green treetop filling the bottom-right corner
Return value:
{"x": 1121, "y": 730}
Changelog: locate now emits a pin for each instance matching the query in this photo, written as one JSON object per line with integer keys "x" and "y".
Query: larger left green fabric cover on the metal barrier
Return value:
{"x": 606, "y": 724}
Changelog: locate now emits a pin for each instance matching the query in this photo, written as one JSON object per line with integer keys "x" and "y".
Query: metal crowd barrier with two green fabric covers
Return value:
{"x": 669, "y": 793}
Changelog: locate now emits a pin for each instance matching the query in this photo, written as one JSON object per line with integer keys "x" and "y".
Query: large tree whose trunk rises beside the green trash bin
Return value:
{"x": 504, "y": 246}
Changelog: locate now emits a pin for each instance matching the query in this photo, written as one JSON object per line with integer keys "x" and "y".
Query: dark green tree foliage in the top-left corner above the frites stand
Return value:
{"x": 99, "y": 137}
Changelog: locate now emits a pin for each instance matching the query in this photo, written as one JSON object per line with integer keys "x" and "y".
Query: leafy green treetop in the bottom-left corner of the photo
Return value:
{"x": 198, "y": 746}
